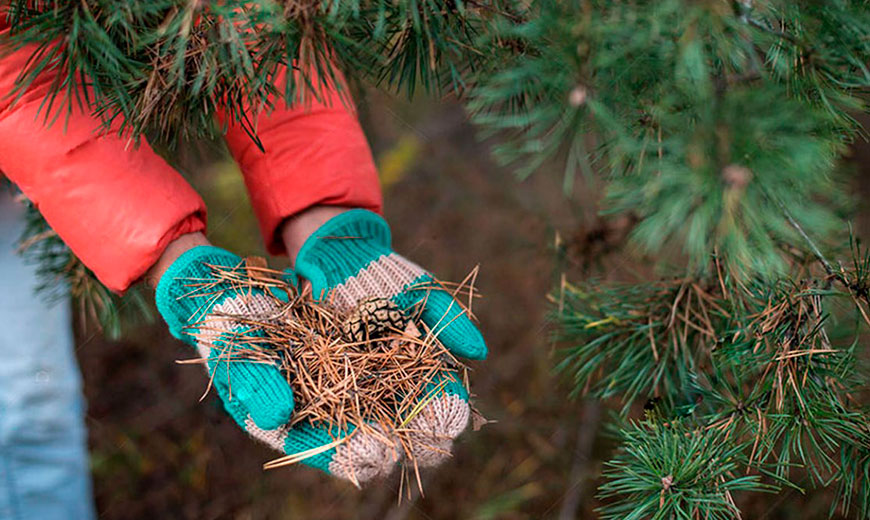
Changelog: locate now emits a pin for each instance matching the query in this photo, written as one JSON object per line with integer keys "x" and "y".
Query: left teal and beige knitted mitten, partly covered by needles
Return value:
{"x": 255, "y": 395}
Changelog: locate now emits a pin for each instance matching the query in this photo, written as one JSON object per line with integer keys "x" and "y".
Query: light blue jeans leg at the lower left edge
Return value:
{"x": 43, "y": 445}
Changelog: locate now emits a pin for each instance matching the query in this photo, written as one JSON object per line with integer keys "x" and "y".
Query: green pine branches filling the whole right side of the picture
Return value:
{"x": 718, "y": 127}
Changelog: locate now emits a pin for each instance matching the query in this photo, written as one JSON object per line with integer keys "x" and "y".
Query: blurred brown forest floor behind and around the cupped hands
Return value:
{"x": 157, "y": 452}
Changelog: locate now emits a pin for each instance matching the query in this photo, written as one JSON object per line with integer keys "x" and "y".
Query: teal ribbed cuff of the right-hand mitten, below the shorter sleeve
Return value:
{"x": 341, "y": 247}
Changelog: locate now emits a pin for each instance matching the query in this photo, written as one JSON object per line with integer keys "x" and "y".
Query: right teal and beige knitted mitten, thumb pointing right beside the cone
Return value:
{"x": 350, "y": 259}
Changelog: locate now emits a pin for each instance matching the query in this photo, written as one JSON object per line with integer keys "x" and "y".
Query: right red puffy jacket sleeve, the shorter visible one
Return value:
{"x": 315, "y": 154}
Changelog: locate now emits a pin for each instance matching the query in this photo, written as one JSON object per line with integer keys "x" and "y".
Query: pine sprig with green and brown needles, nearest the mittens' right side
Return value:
{"x": 616, "y": 329}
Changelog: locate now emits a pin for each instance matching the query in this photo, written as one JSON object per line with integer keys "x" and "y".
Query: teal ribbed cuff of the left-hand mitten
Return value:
{"x": 174, "y": 296}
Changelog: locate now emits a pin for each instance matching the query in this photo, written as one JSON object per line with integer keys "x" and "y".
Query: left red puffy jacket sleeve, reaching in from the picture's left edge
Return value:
{"x": 117, "y": 207}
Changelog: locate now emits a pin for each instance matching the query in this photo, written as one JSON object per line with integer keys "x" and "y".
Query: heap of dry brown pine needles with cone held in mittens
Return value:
{"x": 370, "y": 368}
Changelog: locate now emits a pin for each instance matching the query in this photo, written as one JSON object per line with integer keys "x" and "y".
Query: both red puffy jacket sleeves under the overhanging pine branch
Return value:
{"x": 118, "y": 207}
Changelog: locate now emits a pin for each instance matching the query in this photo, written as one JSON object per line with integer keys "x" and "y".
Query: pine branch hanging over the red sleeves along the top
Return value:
{"x": 169, "y": 67}
